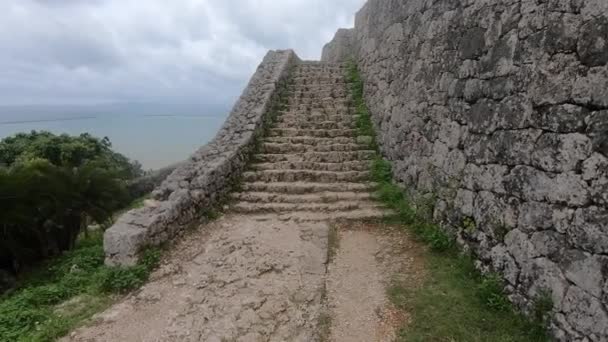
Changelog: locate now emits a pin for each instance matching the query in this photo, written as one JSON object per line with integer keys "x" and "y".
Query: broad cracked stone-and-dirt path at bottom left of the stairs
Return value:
{"x": 240, "y": 280}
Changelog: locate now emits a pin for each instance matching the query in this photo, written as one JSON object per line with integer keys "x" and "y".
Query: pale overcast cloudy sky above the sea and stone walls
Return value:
{"x": 88, "y": 51}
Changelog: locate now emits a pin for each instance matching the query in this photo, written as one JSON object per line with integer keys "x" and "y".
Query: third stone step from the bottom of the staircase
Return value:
{"x": 319, "y": 197}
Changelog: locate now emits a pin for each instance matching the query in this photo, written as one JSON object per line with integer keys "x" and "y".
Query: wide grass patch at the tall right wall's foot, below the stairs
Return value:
{"x": 457, "y": 304}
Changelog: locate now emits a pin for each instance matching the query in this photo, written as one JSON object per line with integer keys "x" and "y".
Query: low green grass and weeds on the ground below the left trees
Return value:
{"x": 61, "y": 293}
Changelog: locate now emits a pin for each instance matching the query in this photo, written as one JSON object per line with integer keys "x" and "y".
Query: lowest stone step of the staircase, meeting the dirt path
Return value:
{"x": 311, "y": 216}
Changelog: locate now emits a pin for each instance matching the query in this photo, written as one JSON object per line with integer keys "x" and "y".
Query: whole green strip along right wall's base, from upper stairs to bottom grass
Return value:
{"x": 456, "y": 302}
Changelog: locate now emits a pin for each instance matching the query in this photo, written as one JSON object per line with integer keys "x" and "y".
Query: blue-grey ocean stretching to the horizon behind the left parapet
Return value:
{"x": 156, "y": 135}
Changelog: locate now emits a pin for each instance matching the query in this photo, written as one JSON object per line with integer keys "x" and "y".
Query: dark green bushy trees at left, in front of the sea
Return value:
{"x": 51, "y": 188}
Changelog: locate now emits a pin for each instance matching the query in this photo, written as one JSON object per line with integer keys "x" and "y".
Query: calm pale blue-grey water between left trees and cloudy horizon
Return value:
{"x": 156, "y": 140}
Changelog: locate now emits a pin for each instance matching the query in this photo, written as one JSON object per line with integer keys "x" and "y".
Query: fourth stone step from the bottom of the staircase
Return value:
{"x": 306, "y": 187}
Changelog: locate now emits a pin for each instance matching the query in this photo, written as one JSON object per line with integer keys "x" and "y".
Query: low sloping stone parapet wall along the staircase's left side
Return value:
{"x": 197, "y": 184}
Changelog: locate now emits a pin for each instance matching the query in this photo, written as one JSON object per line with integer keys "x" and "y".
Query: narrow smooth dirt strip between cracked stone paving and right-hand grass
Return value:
{"x": 368, "y": 259}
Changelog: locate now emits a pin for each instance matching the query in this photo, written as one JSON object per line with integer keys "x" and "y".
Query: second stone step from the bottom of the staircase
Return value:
{"x": 250, "y": 207}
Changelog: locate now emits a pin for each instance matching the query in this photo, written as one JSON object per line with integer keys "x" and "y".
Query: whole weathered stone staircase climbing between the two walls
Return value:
{"x": 312, "y": 166}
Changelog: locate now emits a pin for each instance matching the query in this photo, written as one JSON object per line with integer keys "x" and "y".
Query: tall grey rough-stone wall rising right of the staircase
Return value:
{"x": 500, "y": 109}
